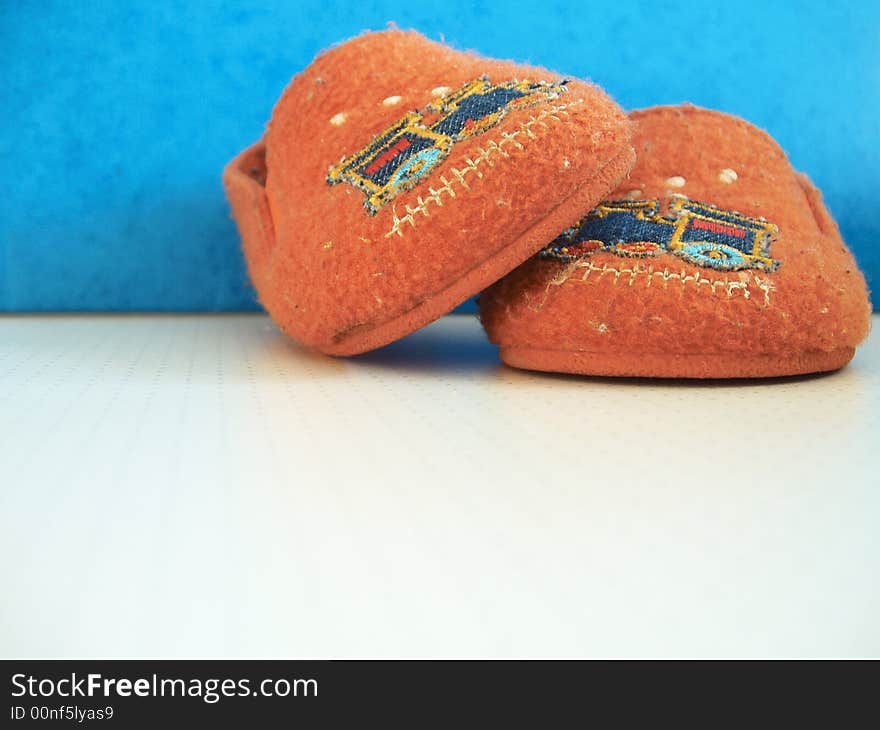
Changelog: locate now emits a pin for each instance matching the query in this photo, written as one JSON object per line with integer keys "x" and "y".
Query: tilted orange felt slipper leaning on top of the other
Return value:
{"x": 399, "y": 177}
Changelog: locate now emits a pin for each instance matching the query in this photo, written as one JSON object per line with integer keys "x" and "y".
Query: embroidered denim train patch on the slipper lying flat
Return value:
{"x": 696, "y": 232}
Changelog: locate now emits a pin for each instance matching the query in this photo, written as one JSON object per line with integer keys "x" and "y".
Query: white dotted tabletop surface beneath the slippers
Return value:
{"x": 200, "y": 486}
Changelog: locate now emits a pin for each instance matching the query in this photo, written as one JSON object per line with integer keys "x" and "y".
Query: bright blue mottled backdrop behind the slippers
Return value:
{"x": 116, "y": 118}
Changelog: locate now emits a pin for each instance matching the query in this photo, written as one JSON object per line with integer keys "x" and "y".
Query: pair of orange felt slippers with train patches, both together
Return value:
{"x": 398, "y": 177}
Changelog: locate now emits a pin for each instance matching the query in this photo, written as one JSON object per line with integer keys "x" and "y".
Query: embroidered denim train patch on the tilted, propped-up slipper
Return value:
{"x": 405, "y": 153}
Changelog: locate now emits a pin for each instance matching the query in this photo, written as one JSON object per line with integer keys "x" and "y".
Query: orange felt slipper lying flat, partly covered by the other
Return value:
{"x": 714, "y": 260}
